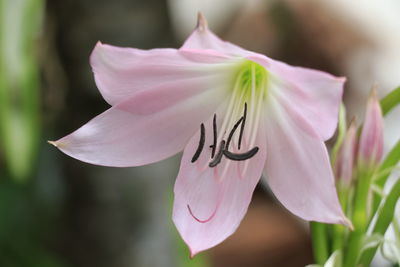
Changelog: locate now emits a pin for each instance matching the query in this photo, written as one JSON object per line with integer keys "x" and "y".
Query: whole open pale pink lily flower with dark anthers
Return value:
{"x": 235, "y": 113}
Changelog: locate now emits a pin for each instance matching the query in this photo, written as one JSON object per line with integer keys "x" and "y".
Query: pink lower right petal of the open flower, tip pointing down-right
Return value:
{"x": 298, "y": 168}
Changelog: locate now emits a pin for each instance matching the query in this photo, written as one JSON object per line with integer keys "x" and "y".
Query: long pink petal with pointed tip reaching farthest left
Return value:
{"x": 148, "y": 127}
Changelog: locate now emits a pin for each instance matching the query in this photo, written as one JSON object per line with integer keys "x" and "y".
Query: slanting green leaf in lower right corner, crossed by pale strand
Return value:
{"x": 385, "y": 216}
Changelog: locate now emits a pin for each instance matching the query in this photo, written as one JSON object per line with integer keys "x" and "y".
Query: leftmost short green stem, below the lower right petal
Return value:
{"x": 320, "y": 242}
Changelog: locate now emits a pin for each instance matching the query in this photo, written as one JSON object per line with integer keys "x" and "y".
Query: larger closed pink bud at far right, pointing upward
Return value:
{"x": 371, "y": 141}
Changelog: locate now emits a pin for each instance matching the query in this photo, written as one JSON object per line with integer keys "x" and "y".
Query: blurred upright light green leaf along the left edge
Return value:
{"x": 20, "y": 26}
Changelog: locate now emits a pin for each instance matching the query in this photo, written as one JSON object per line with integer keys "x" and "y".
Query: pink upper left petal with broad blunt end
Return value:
{"x": 121, "y": 72}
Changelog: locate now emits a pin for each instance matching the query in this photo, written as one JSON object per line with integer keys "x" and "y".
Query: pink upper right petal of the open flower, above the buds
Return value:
{"x": 317, "y": 94}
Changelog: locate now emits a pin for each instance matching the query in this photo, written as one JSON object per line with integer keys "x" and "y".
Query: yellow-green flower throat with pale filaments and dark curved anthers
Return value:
{"x": 233, "y": 141}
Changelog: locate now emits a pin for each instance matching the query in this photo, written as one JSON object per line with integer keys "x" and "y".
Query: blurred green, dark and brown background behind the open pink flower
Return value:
{"x": 58, "y": 212}
